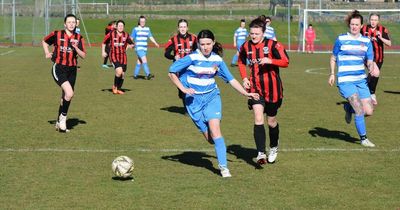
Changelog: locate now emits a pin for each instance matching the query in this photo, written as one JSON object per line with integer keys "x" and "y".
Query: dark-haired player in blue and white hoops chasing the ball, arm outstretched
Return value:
{"x": 203, "y": 102}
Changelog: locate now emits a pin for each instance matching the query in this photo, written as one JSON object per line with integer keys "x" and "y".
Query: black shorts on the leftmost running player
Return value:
{"x": 63, "y": 73}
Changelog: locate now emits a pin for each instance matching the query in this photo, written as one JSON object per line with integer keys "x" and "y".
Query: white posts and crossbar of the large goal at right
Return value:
{"x": 305, "y": 20}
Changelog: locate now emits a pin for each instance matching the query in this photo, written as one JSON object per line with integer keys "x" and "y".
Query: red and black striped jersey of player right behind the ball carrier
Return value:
{"x": 264, "y": 78}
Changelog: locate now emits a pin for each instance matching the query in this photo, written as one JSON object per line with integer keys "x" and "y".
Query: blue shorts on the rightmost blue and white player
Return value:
{"x": 348, "y": 89}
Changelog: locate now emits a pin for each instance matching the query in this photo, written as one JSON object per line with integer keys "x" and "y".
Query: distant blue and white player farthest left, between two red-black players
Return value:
{"x": 140, "y": 34}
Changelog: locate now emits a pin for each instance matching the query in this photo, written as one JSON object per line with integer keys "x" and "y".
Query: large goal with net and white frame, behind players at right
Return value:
{"x": 329, "y": 23}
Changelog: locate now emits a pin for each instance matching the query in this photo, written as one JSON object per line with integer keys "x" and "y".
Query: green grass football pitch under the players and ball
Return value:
{"x": 320, "y": 165}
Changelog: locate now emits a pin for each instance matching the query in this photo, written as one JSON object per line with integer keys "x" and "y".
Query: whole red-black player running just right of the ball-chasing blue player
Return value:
{"x": 265, "y": 57}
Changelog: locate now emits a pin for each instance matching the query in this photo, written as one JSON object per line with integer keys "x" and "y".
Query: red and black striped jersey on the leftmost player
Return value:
{"x": 64, "y": 53}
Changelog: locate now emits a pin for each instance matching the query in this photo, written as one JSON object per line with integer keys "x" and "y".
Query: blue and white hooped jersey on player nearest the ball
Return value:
{"x": 198, "y": 72}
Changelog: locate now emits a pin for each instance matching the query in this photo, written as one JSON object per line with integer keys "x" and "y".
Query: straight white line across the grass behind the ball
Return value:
{"x": 318, "y": 149}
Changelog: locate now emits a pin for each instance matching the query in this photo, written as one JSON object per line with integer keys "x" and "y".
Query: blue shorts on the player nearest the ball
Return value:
{"x": 204, "y": 107}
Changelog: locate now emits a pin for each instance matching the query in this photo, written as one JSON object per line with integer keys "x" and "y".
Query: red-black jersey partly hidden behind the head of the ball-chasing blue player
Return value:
{"x": 179, "y": 45}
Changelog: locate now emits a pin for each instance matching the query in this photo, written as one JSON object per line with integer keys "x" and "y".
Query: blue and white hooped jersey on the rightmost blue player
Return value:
{"x": 351, "y": 54}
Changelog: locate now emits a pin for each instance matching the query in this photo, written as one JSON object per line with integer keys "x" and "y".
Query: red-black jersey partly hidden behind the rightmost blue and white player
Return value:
{"x": 367, "y": 30}
